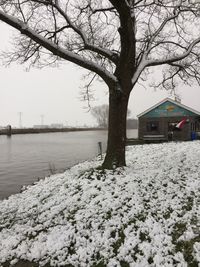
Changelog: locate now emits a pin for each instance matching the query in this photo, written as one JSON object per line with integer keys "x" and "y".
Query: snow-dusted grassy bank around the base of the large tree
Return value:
{"x": 146, "y": 214}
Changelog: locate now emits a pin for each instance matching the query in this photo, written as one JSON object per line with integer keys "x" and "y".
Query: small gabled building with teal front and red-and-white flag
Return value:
{"x": 169, "y": 120}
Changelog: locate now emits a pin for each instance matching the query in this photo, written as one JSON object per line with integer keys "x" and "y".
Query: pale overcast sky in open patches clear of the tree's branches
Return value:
{"x": 55, "y": 94}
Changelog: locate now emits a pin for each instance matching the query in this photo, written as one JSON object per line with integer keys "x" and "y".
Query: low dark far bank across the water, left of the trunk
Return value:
{"x": 47, "y": 130}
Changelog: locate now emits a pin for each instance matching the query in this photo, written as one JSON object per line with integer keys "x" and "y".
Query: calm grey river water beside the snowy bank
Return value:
{"x": 26, "y": 158}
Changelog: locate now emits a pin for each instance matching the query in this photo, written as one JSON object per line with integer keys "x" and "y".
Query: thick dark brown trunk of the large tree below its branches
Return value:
{"x": 115, "y": 154}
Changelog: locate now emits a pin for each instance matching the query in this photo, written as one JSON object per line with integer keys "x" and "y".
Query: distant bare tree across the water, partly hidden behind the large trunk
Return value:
{"x": 101, "y": 114}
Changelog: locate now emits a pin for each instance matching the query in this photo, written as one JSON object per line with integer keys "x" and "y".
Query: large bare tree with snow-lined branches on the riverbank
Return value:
{"x": 119, "y": 41}
